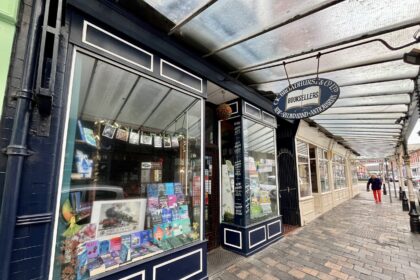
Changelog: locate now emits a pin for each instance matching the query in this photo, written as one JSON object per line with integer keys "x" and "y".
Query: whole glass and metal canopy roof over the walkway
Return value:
{"x": 360, "y": 42}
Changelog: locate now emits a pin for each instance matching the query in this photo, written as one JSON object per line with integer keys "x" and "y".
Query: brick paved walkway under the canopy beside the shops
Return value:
{"x": 356, "y": 240}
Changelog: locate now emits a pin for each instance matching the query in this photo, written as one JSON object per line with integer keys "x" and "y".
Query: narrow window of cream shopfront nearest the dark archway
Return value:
{"x": 303, "y": 169}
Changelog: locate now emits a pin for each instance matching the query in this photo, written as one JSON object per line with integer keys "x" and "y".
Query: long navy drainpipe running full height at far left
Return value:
{"x": 17, "y": 150}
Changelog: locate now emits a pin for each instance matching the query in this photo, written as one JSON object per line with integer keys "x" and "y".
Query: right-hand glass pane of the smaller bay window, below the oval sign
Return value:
{"x": 260, "y": 170}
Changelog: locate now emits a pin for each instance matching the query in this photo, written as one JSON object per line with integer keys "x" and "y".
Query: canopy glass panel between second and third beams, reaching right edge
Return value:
{"x": 324, "y": 28}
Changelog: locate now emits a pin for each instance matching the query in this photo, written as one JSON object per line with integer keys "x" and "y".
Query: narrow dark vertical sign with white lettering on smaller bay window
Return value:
{"x": 238, "y": 172}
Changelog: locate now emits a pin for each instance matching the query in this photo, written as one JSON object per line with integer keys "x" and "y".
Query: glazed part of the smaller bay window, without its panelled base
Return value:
{"x": 248, "y": 171}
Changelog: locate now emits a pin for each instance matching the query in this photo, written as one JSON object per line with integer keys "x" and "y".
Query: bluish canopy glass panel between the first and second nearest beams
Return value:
{"x": 213, "y": 28}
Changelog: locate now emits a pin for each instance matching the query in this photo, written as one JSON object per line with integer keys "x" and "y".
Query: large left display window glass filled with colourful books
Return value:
{"x": 131, "y": 177}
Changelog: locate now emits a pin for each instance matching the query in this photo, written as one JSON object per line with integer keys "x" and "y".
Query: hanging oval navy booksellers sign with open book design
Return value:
{"x": 306, "y": 98}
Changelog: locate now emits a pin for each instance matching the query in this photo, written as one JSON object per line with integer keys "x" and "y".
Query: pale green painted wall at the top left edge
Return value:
{"x": 8, "y": 19}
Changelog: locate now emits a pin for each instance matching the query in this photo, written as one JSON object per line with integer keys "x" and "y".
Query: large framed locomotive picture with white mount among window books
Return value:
{"x": 118, "y": 216}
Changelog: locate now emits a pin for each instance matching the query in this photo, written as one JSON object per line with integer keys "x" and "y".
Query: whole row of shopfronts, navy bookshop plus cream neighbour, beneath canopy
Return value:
{"x": 118, "y": 166}
